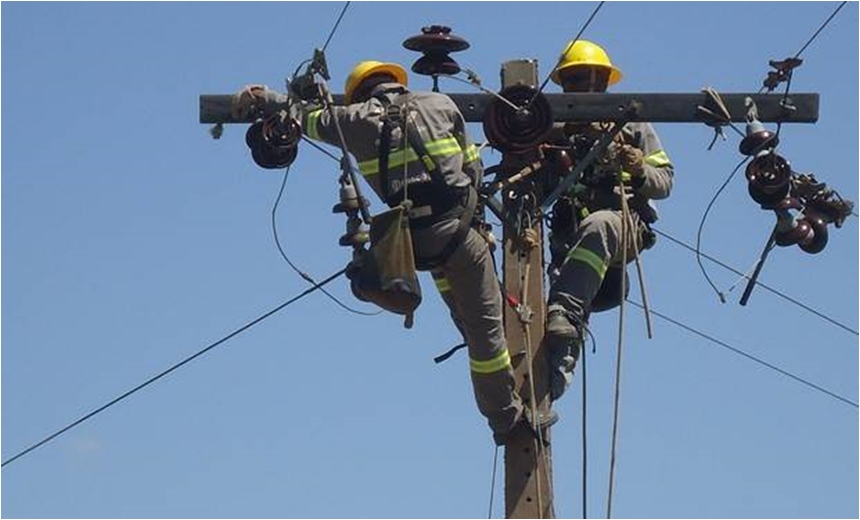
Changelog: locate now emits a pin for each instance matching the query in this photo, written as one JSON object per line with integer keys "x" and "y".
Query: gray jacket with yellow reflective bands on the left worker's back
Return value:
{"x": 440, "y": 127}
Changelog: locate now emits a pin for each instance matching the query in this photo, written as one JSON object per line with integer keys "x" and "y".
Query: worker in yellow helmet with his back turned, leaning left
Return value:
{"x": 414, "y": 144}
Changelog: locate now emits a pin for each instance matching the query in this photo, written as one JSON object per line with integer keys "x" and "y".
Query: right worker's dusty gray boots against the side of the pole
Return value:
{"x": 562, "y": 341}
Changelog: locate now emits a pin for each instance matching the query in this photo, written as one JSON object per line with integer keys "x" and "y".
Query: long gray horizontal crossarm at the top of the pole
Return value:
{"x": 656, "y": 108}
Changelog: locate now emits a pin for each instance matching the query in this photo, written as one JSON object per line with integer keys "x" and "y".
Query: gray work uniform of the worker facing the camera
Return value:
{"x": 596, "y": 244}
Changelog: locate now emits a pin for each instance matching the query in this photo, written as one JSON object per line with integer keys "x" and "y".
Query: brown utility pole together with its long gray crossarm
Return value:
{"x": 528, "y": 462}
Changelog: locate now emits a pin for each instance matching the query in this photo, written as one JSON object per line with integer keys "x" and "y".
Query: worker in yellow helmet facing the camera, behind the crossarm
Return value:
{"x": 587, "y": 247}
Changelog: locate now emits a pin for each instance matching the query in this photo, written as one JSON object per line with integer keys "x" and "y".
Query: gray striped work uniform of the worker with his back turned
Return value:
{"x": 466, "y": 280}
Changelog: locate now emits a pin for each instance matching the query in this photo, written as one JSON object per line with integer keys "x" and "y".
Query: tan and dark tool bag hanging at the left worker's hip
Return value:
{"x": 385, "y": 274}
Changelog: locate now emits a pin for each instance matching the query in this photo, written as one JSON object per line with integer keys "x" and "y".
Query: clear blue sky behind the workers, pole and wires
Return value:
{"x": 132, "y": 240}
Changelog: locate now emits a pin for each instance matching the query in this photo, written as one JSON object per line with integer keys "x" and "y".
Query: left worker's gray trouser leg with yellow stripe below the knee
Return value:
{"x": 476, "y": 304}
